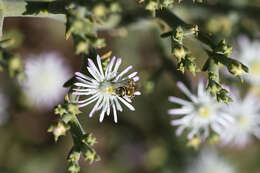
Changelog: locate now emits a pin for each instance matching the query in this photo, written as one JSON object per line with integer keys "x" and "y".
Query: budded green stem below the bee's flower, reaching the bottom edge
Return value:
{"x": 83, "y": 142}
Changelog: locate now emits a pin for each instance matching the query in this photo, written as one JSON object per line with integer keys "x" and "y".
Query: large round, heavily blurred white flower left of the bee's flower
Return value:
{"x": 46, "y": 74}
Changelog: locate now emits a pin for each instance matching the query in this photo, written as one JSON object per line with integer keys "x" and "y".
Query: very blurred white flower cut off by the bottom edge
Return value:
{"x": 209, "y": 162}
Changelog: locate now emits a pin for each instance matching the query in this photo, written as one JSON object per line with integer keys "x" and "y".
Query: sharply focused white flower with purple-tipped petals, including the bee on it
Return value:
{"x": 107, "y": 87}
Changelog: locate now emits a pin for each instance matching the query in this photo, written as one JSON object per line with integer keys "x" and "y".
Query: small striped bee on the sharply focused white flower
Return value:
{"x": 128, "y": 89}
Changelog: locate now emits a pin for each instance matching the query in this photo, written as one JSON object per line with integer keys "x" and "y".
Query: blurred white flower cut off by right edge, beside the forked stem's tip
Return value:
{"x": 249, "y": 54}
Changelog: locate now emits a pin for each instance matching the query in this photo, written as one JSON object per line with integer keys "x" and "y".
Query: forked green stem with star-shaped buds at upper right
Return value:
{"x": 218, "y": 54}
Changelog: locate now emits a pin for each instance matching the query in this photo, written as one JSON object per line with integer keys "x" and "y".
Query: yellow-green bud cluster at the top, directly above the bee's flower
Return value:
{"x": 81, "y": 19}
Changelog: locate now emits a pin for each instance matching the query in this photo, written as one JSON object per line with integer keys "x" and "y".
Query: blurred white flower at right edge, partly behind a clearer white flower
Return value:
{"x": 246, "y": 114}
